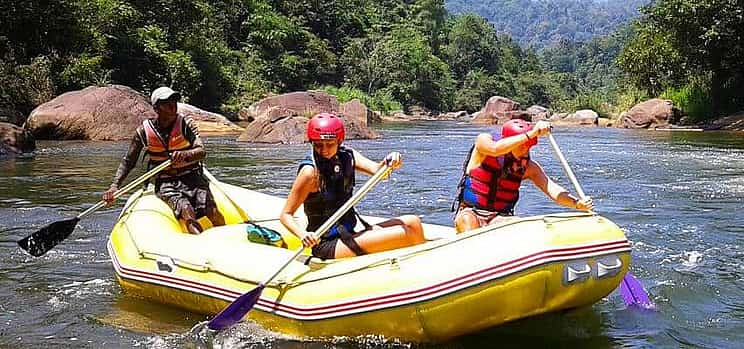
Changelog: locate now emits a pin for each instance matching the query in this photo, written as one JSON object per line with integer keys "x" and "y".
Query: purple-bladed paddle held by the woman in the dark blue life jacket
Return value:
{"x": 236, "y": 310}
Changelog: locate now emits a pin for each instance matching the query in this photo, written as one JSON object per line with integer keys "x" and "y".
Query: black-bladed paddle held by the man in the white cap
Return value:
{"x": 49, "y": 236}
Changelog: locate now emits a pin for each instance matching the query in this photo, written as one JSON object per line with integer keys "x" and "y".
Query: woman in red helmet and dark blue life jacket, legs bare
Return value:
{"x": 325, "y": 181}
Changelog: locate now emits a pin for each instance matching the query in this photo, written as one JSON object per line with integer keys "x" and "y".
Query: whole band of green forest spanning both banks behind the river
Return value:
{"x": 392, "y": 54}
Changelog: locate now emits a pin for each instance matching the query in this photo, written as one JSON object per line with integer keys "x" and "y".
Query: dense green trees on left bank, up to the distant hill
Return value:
{"x": 224, "y": 54}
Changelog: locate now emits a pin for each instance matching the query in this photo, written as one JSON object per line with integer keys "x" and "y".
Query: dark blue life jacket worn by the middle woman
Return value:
{"x": 337, "y": 181}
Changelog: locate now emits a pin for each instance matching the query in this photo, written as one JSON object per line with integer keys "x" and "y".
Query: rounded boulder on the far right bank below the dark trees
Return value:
{"x": 650, "y": 114}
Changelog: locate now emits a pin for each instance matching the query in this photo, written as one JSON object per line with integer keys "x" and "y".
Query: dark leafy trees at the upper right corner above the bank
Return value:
{"x": 691, "y": 52}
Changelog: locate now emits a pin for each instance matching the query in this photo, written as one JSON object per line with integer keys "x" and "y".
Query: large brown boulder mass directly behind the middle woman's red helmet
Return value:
{"x": 283, "y": 118}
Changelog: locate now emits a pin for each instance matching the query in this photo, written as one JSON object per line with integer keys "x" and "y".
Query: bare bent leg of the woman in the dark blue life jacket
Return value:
{"x": 391, "y": 234}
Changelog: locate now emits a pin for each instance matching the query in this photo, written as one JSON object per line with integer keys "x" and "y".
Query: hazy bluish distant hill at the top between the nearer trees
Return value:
{"x": 541, "y": 23}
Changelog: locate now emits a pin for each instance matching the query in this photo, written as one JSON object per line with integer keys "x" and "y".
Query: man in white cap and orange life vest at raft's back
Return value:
{"x": 176, "y": 137}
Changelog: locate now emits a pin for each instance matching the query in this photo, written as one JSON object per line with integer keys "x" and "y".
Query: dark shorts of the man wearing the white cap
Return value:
{"x": 190, "y": 189}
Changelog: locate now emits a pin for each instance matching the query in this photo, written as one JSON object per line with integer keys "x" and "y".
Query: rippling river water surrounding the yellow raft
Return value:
{"x": 677, "y": 195}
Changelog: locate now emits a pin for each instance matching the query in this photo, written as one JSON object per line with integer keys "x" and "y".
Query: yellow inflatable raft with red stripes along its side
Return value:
{"x": 450, "y": 286}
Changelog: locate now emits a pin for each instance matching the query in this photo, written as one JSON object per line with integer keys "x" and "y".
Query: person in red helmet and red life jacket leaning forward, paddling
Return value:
{"x": 493, "y": 173}
